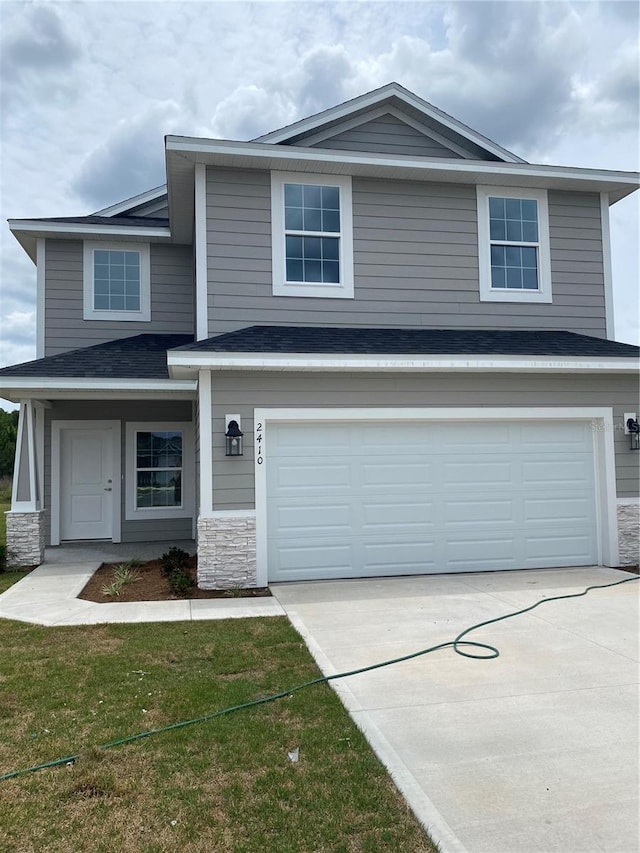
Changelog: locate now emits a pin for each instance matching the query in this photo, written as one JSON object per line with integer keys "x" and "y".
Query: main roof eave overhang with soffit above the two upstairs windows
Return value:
{"x": 183, "y": 153}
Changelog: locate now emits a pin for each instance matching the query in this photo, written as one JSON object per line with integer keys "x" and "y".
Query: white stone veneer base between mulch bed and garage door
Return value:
{"x": 227, "y": 550}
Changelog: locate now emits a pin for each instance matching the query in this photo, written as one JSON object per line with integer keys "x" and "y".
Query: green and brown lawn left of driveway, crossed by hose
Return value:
{"x": 226, "y": 785}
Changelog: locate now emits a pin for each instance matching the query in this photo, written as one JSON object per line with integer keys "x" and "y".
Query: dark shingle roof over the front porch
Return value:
{"x": 139, "y": 357}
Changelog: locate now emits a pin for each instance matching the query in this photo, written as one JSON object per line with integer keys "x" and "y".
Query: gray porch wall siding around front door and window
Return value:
{"x": 153, "y": 411}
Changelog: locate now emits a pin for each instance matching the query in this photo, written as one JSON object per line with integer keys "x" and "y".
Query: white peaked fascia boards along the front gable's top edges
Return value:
{"x": 372, "y": 99}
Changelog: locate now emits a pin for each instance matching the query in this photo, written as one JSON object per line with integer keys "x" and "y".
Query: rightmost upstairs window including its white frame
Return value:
{"x": 513, "y": 245}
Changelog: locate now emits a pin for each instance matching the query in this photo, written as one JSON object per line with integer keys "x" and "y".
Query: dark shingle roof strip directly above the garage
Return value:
{"x": 316, "y": 339}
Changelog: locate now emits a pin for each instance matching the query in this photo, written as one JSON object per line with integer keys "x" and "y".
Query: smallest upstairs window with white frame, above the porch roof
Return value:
{"x": 116, "y": 282}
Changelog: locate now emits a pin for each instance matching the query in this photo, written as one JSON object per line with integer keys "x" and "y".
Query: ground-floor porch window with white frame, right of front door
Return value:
{"x": 159, "y": 470}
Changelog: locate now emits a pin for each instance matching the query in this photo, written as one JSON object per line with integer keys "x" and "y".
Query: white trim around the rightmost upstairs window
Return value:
{"x": 489, "y": 293}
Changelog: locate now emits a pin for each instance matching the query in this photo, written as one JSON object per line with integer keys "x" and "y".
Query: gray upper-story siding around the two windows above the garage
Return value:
{"x": 415, "y": 261}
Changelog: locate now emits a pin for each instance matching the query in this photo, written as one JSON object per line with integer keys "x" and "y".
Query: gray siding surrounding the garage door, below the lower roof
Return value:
{"x": 233, "y": 479}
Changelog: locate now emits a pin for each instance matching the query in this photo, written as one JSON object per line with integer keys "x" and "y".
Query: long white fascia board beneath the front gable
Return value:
{"x": 473, "y": 170}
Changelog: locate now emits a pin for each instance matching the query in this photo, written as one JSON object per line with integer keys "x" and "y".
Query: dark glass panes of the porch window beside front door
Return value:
{"x": 158, "y": 469}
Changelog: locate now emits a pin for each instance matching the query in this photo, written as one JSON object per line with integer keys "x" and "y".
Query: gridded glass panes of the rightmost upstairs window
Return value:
{"x": 514, "y": 240}
